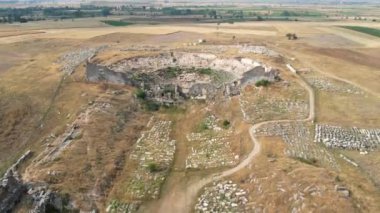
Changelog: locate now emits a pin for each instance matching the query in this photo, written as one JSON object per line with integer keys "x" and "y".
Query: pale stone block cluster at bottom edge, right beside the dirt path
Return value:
{"x": 224, "y": 196}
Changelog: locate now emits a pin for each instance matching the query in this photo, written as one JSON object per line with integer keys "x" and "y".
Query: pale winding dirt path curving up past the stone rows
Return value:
{"x": 181, "y": 198}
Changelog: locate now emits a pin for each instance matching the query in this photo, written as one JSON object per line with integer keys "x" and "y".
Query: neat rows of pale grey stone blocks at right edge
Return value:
{"x": 347, "y": 138}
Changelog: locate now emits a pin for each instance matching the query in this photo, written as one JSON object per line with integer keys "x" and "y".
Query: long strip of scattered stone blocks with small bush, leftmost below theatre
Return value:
{"x": 153, "y": 154}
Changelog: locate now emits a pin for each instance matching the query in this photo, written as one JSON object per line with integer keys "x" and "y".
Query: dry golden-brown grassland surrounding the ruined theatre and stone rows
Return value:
{"x": 39, "y": 103}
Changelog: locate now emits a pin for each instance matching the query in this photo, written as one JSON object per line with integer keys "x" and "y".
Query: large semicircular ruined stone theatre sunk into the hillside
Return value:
{"x": 173, "y": 77}
